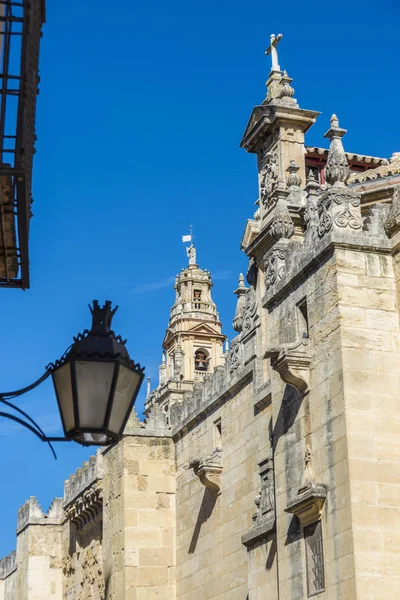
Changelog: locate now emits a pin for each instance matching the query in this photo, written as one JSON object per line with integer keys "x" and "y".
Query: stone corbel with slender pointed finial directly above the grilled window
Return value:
{"x": 307, "y": 506}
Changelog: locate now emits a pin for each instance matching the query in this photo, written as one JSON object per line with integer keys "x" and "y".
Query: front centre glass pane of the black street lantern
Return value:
{"x": 93, "y": 384}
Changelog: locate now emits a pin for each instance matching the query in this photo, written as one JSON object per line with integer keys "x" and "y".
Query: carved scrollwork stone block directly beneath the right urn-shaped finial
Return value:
{"x": 339, "y": 208}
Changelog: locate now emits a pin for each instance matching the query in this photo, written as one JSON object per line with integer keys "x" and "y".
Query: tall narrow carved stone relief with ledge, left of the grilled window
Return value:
{"x": 264, "y": 517}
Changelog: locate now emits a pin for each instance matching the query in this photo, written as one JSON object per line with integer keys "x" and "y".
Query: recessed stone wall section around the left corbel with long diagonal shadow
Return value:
{"x": 211, "y": 559}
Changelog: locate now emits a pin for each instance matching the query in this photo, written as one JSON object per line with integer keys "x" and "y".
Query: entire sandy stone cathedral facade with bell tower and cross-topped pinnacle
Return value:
{"x": 270, "y": 469}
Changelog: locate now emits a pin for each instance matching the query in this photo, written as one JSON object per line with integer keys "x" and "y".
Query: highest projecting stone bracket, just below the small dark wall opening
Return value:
{"x": 292, "y": 362}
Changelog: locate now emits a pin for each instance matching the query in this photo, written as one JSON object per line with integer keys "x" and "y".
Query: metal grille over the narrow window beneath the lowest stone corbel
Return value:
{"x": 315, "y": 559}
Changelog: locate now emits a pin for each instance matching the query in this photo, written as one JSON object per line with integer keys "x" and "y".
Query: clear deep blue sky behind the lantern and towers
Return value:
{"x": 140, "y": 115}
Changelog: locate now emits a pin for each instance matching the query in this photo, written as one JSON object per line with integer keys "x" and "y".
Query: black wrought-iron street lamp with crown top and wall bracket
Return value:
{"x": 96, "y": 385}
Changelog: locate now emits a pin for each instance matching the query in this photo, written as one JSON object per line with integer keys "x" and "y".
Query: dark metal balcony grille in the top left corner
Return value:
{"x": 20, "y": 31}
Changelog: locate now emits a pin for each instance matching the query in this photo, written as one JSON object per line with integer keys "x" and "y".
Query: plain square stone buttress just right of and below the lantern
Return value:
{"x": 139, "y": 517}
